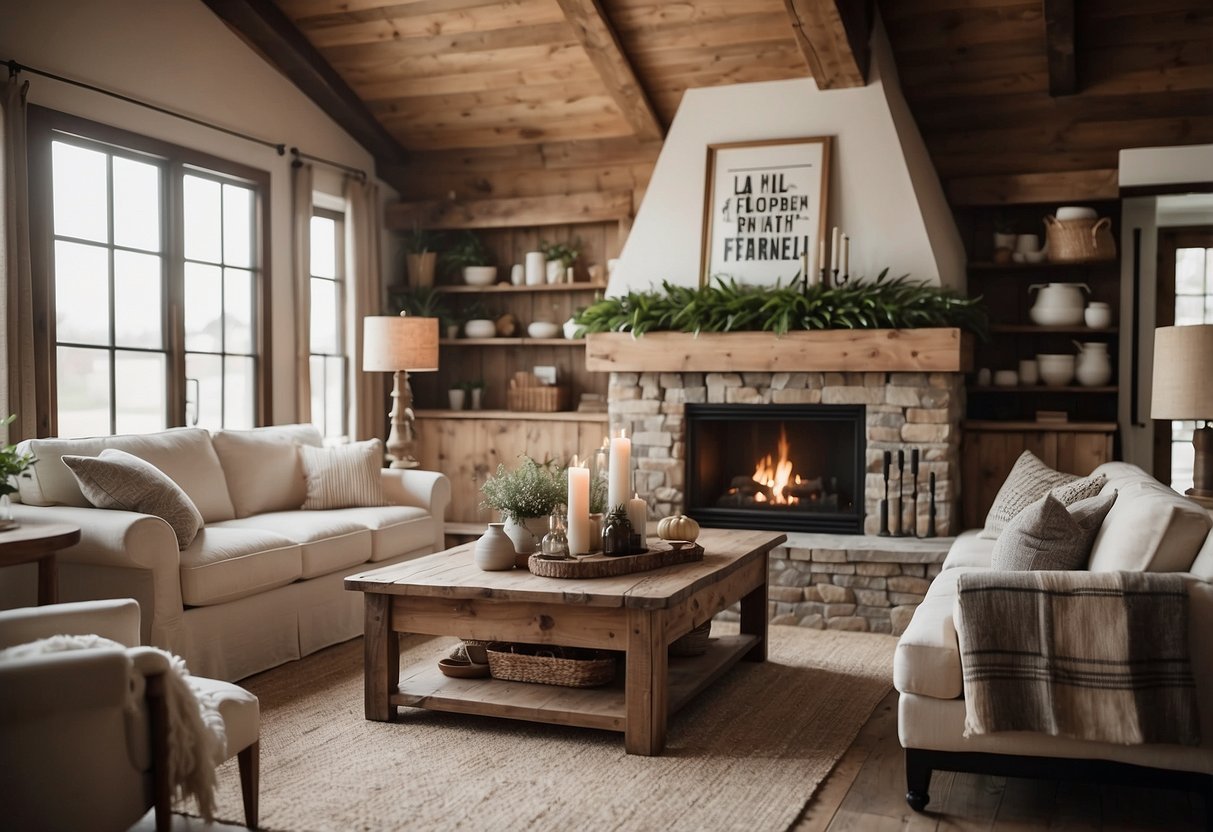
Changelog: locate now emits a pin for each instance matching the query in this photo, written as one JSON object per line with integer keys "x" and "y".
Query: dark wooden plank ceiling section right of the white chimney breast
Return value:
{"x": 978, "y": 77}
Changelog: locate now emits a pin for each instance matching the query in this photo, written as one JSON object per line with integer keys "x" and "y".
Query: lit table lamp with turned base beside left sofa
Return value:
{"x": 401, "y": 345}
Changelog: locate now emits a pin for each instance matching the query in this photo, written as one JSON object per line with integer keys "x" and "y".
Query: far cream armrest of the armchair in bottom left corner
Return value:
{"x": 116, "y": 619}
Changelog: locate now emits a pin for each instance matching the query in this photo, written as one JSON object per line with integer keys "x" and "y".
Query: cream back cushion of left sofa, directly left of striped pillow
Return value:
{"x": 263, "y": 466}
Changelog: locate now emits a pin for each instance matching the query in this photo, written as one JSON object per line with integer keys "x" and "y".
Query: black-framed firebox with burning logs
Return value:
{"x": 787, "y": 468}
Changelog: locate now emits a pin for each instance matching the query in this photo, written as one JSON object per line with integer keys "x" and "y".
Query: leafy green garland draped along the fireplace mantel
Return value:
{"x": 726, "y": 306}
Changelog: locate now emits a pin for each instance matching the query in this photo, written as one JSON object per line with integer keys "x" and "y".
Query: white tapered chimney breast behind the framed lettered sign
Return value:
{"x": 884, "y": 191}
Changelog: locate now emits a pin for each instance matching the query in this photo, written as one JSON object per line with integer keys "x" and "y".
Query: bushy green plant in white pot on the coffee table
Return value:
{"x": 526, "y": 497}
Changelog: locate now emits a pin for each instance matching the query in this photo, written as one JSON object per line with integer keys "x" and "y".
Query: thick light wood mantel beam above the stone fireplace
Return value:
{"x": 946, "y": 350}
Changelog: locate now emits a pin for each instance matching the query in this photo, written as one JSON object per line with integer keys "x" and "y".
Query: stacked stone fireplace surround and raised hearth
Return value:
{"x": 862, "y": 583}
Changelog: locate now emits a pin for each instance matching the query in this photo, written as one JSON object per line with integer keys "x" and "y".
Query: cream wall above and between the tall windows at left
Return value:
{"x": 179, "y": 55}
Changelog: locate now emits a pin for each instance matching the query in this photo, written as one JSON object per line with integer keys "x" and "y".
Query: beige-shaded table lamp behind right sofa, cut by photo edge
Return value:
{"x": 1183, "y": 390}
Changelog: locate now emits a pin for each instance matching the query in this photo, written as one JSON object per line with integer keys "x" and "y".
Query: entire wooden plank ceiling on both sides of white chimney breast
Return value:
{"x": 515, "y": 99}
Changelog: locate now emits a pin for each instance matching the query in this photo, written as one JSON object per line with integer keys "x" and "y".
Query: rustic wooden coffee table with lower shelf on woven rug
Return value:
{"x": 639, "y": 614}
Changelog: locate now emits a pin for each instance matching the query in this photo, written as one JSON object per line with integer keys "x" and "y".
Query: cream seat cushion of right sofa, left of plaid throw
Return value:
{"x": 929, "y": 656}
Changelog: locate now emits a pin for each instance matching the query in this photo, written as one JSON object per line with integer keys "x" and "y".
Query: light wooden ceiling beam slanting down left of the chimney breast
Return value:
{"x": 606, "y": 52}
